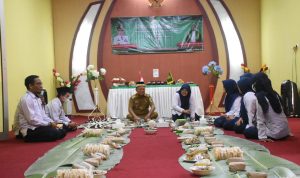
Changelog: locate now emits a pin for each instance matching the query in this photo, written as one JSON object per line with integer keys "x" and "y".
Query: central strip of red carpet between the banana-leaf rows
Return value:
{"x": 151, "y": 156}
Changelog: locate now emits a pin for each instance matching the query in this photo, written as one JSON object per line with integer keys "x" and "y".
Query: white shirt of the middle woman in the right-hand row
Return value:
{"x": 250, "y": 105}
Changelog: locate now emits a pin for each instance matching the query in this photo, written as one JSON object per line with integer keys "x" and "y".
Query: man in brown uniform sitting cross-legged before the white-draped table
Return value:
{"x": 139, "y": 105}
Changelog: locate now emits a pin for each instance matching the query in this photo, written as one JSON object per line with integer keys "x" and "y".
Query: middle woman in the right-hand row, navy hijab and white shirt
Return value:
{"x": 248, "y": 108}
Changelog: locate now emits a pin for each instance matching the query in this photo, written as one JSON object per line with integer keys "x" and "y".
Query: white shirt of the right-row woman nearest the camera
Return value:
{"x": 271, "y": 124}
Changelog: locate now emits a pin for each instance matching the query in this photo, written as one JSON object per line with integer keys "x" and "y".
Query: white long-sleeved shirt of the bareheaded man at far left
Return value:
{"x": 29, "y": 114}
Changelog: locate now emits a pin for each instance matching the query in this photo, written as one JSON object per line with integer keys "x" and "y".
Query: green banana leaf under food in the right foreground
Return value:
{"x": 257, "y": 158}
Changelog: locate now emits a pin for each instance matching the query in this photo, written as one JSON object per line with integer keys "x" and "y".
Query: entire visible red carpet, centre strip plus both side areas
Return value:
{"x": 145, "y": 156}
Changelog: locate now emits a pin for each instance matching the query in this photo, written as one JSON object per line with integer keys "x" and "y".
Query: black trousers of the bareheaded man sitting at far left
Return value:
{"x": 44, "y": 134}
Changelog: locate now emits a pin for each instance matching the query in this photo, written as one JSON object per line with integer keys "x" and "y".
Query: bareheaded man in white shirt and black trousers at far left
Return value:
{"x": 31, "y": 121}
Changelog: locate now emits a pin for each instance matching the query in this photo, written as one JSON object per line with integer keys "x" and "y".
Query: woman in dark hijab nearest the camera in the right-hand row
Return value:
{"x": 271, "y": 123}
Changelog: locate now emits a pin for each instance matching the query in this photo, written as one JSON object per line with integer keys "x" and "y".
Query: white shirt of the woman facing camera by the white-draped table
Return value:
{"x": 176, "y": 105}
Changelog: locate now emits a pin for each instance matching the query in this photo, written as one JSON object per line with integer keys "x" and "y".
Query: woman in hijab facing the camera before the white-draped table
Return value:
{"x": 183, "y": 104}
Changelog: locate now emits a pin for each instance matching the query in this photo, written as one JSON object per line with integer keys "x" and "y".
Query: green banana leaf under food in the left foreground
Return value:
{"x": 68, "y": 153}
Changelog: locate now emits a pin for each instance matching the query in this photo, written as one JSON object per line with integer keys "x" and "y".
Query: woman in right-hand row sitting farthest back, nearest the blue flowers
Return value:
{"x": 232, "y": 106}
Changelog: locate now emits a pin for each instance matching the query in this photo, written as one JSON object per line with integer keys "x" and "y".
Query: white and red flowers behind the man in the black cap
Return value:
{"x": 72, "y": 84}
